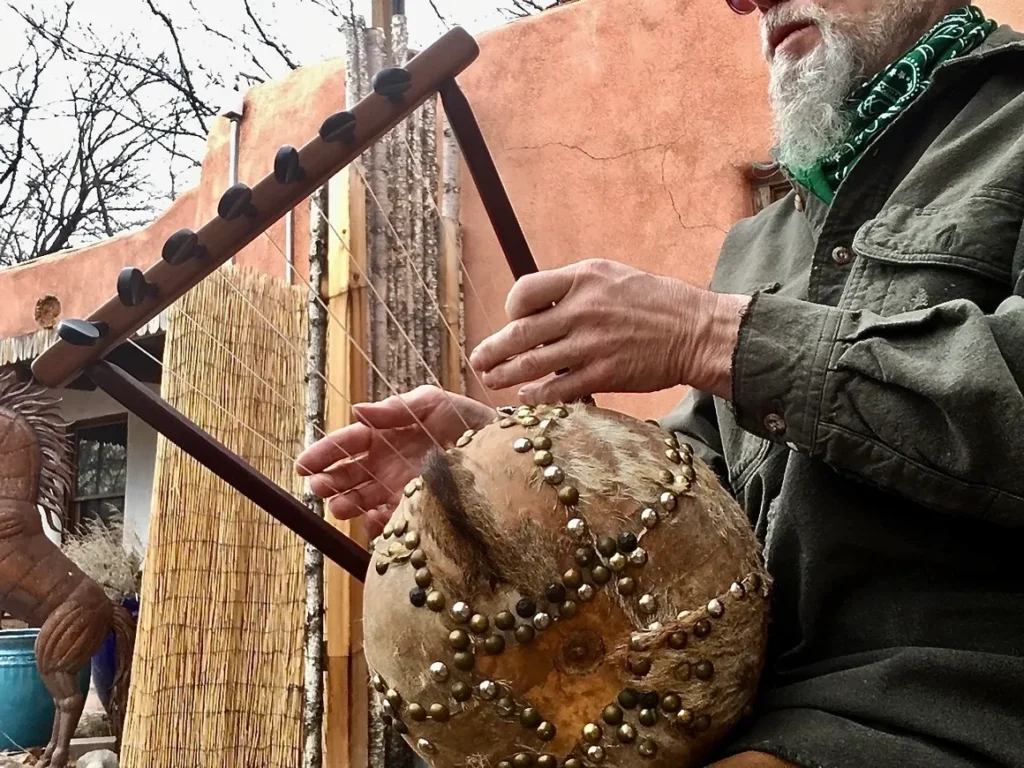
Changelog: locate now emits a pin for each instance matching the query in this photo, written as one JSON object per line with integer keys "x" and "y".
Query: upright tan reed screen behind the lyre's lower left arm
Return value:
{"x": 218, "y": 674}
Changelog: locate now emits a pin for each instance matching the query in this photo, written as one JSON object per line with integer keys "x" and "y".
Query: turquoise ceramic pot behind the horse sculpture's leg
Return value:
{"x": 26, "y": 707}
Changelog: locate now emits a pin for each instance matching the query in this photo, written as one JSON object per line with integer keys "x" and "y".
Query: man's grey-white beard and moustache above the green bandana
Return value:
{"x": 808, "y": 95}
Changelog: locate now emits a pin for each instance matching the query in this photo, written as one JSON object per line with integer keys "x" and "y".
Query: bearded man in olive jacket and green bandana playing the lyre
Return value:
{"x": 857, "y": 371}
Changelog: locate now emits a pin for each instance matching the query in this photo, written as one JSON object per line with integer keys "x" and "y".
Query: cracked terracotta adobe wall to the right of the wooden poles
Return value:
{"x": 622, "y": 130}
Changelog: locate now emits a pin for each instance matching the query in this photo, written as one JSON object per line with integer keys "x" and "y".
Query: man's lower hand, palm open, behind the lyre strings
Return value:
{"x": 365, "y": 467}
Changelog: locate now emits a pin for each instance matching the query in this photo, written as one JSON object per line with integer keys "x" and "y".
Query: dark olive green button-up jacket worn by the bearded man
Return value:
{"x": 876, "y": 436}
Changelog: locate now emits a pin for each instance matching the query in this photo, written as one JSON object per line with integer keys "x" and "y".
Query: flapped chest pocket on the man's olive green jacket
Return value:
{"x": 913, "y": 259}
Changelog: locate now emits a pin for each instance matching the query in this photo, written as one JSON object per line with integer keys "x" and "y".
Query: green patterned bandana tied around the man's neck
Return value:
{"x": 878, "y": 103}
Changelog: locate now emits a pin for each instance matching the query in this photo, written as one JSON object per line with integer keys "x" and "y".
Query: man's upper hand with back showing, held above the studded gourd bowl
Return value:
{"x": 617, "y": 329}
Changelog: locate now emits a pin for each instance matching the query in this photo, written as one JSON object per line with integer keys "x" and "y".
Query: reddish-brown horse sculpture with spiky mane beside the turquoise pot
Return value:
{"x": 38, "y": 584}
